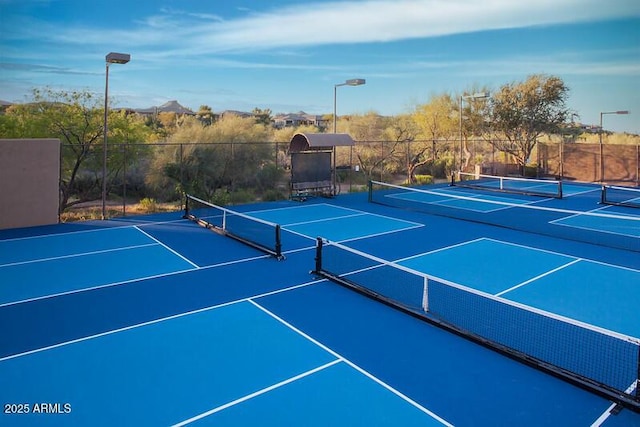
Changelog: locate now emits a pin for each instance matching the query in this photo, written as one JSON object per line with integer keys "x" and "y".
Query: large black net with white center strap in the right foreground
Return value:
{"x": 602, "y": 361}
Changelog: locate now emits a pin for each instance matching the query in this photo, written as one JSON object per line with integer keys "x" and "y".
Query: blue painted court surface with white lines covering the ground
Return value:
{"x": 157, "y": 321}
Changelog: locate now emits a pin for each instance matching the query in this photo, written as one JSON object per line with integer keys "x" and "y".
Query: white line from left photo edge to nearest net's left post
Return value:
{"x": 162, "y": 319}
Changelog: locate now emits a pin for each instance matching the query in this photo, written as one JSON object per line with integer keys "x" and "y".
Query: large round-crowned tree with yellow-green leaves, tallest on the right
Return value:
{"x": 521, "y": 112}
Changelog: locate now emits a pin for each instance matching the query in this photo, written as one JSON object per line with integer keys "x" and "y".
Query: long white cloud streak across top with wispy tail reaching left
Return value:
{"x": 183, "y": 33}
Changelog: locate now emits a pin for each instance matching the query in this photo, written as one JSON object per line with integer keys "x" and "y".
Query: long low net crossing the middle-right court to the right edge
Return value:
{"x": 545, "y": 216}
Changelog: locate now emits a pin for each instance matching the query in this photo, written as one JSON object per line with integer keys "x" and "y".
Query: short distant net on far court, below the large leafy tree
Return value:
{"x": 508, "y": 184}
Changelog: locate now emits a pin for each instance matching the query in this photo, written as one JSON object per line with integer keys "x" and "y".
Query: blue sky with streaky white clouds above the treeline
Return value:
{"x": 287, "y": 55}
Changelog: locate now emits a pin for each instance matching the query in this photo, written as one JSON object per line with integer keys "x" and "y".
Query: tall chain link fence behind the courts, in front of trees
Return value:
{"x": 153, "y": 177}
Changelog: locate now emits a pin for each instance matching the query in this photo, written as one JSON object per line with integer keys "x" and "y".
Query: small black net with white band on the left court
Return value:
{"x": 260, "y": 234}
